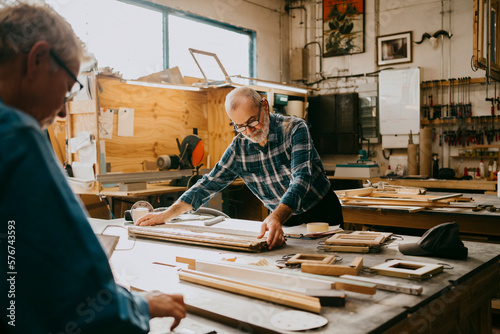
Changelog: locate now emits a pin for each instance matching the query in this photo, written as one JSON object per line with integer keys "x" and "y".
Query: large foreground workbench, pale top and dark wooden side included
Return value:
{"x": 456, "y": 297}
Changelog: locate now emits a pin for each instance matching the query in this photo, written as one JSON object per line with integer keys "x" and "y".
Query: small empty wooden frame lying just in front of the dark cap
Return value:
{"x": 407, "y": 269}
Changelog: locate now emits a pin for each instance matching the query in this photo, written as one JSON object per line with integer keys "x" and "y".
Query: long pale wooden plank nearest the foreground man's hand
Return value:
{"x": 283, "y": 297}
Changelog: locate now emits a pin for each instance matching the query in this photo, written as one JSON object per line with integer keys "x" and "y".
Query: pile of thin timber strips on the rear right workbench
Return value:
{"x": 369, "y": 196}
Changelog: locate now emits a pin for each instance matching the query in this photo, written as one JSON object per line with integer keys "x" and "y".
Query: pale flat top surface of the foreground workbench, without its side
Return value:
{"x": 361, "y": 314}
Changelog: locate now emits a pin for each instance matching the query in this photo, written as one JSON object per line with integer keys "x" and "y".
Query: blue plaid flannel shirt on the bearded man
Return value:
{"x": 286, "y": 170}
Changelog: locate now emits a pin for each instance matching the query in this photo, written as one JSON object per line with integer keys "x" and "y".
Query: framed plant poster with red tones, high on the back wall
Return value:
{"x": 343, "y": 27}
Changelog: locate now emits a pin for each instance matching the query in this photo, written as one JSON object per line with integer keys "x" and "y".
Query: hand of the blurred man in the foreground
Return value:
{"x": 163, "y": 305}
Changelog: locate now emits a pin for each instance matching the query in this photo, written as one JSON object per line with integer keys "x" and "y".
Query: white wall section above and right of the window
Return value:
{"x": 266, "y": 17}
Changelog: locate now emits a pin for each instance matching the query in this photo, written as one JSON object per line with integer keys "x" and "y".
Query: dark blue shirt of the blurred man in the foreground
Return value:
{"x": 59, "y": 276}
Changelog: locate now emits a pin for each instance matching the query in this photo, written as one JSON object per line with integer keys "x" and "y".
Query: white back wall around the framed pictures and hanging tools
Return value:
{"x": 383, "y": 17}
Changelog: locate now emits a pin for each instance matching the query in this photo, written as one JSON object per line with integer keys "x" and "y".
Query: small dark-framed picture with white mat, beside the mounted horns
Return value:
{"x": 394, "y": 49}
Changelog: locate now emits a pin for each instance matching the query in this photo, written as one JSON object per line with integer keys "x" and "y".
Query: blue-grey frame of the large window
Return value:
{"x": 167, "y": 11}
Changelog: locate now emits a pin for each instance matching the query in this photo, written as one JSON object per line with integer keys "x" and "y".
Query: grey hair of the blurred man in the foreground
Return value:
{"x": 22, "y": 25}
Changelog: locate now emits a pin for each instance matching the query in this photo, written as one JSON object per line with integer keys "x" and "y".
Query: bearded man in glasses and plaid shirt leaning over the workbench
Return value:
{"x": 275, "y": 157}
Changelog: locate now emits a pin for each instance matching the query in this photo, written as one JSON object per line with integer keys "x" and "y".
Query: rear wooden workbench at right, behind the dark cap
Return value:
{"x": 480, "y": 223}
